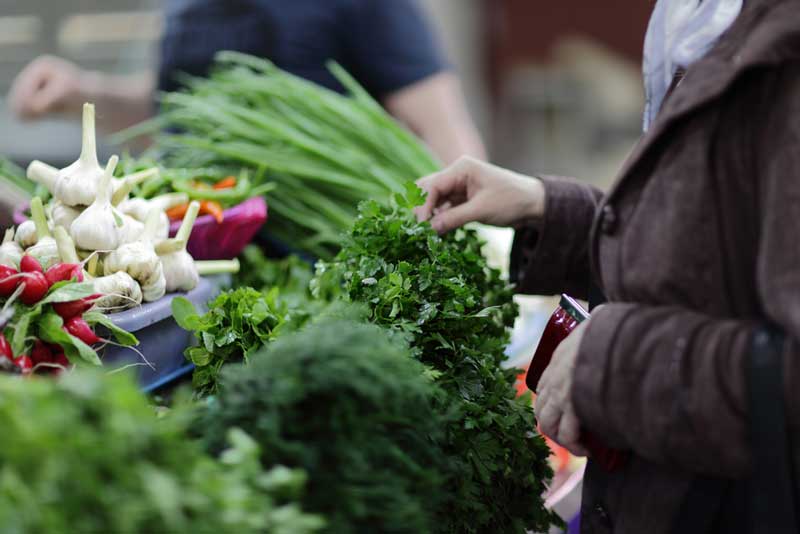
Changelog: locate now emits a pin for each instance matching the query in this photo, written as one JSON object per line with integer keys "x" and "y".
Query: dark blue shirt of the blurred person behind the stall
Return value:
{"x": 385, "y": 44}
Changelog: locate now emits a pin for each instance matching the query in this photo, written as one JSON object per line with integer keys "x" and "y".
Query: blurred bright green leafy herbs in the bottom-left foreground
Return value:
{"x": 87, "y": 454}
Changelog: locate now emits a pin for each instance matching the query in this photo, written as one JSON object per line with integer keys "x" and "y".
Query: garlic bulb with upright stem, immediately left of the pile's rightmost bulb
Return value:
{"x": 140, "y": 261}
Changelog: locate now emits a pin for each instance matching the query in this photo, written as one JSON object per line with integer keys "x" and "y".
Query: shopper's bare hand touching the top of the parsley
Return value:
{"x": 471, "y": 190}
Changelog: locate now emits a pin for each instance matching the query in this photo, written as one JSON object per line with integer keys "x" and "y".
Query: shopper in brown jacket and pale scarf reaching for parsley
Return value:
{"x": 696, "y": 250}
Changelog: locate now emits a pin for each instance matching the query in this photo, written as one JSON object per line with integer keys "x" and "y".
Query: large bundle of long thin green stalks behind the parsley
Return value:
{"x": 326, "y": 152}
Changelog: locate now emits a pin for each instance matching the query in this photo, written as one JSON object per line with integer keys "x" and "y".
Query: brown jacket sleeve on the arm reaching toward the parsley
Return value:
{"x": 551, "y": 256}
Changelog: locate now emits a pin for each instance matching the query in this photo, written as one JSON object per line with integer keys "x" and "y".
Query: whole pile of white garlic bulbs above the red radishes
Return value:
{"x": 93, "y": 221}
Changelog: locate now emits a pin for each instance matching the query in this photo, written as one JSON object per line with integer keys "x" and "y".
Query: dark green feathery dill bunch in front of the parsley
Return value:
{"x": 345, "y": 402}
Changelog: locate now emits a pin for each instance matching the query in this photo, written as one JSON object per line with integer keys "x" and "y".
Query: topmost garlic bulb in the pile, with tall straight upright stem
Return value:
{"x": 77, "y": 184}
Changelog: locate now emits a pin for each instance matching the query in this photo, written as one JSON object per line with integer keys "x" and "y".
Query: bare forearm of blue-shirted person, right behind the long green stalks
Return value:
{"x": 435, "y": 109}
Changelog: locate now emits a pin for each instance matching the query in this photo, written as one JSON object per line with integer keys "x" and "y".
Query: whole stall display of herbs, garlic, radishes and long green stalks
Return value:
{"x": 355, "y": 385}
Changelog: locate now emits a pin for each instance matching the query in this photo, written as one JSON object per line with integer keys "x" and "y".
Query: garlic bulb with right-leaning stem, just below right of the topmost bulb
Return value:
{"x": 98, "y": 227}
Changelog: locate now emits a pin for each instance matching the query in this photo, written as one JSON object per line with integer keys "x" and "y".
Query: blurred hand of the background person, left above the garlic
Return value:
{"x": 47, "y": 85}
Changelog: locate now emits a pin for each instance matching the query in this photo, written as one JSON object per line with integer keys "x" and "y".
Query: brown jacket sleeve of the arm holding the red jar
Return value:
{"x": 669, "y": 383}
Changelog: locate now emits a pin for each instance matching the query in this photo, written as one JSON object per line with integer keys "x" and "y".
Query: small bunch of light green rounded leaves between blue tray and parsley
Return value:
{"x": 238, "y": 323}
